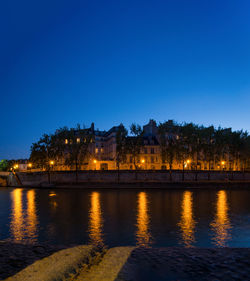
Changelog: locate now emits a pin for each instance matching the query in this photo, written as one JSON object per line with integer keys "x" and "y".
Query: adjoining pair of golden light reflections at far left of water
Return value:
{"x": 24, "y": 222}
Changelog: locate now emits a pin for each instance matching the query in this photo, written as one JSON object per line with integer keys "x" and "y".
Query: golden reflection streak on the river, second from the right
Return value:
{"x": 187, "y": 223}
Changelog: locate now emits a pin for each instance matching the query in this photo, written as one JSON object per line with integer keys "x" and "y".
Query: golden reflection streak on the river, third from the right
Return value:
{"x": 143, "y": 236}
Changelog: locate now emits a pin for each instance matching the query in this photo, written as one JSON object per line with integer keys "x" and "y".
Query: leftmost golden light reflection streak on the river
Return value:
{"x": 17, "y": 219}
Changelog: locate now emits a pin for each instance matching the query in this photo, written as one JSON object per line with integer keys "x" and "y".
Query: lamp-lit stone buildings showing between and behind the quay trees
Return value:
{"x": 102, "y": 152}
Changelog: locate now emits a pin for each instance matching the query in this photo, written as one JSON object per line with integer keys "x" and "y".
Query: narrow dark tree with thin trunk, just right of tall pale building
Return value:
{"x": 121, "y": 152}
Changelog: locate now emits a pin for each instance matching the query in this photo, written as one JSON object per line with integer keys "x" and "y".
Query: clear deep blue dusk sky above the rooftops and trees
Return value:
{"x": 68, "y": 62}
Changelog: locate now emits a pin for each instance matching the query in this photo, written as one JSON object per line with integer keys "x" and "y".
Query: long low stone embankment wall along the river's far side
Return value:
{"x": 127, "y": 178}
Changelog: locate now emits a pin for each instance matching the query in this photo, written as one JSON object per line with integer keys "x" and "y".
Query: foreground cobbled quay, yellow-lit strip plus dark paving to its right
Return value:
{"x": 140, "y": 264}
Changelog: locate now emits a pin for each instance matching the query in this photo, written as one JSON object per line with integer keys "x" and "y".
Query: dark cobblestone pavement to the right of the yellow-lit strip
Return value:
{"x": 160, "y": 264}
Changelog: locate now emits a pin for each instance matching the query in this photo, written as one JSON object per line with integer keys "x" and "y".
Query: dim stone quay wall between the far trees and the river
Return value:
{"x": 130, "y": 177}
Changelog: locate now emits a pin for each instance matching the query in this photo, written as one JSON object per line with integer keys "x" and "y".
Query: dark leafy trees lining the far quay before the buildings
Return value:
{"x": 177, "y": 143}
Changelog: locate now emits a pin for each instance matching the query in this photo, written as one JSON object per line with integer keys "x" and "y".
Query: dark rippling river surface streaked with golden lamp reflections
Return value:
{"x": 189, "y": 218}
